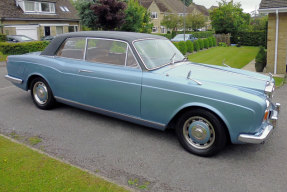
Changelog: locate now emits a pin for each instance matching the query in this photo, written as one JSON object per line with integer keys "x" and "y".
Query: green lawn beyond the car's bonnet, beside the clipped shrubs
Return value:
{"x": 236, "y": 57}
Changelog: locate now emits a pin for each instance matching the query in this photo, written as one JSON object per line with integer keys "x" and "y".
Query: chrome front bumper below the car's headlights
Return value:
{"x": 257, "y": 139}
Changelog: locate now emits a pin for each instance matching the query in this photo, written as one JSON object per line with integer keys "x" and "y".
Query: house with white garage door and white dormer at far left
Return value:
{"x": 39, "y": 18}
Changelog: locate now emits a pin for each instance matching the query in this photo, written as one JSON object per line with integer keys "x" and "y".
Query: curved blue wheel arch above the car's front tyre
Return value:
{"x": 194, "y": 106}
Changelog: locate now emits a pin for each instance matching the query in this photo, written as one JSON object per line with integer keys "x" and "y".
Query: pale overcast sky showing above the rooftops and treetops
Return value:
{"x": 247, "y": 5}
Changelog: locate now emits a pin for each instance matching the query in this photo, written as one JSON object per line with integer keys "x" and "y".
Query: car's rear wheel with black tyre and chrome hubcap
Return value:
{"x": 41, "y": 94}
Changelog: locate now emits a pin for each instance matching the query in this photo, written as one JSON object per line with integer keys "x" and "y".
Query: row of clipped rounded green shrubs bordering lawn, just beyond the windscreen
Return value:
{"x": 197, "y": 45}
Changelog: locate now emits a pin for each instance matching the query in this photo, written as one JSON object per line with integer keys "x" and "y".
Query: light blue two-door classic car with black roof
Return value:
{"x": 144, "y": 79}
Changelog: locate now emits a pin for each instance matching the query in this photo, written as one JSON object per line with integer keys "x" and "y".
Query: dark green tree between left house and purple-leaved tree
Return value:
{"x": 86, "y": 14}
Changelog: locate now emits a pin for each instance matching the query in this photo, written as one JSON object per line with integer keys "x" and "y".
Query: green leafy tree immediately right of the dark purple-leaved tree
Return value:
{"x": 137, "y": 18}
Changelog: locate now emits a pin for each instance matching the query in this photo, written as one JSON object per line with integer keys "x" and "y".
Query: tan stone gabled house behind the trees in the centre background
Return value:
{"x": 160, "y": 8}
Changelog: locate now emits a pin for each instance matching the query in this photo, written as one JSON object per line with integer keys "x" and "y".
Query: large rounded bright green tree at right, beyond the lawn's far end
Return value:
{"x": 229, "y": 17}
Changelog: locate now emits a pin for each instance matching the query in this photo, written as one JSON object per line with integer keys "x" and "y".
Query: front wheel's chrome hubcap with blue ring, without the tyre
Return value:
{"x": 199, "y": 132}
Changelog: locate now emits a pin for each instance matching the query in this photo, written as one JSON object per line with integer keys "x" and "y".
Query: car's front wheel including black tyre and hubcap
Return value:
{"x": 201, "y": 132}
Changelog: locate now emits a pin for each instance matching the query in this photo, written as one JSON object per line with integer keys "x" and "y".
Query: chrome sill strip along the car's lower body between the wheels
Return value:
{"x": 112, "y": 112}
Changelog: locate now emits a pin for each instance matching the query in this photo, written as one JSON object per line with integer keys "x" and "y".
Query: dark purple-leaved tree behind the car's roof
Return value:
{"x": 110, "y": 13}
